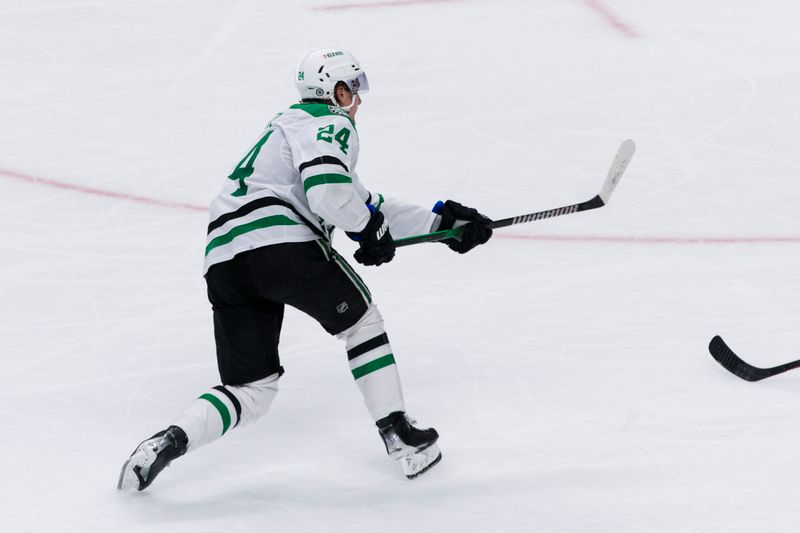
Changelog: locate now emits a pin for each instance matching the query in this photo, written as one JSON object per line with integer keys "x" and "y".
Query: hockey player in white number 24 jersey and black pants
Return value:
{"x": 269, "y": 244}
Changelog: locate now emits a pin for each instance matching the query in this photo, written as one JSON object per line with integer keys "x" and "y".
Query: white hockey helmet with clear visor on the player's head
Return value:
{"x": 320, "y": 70}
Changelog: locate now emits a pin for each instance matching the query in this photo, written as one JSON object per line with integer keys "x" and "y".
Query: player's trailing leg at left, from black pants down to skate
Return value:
{"x": 246, "y": 331}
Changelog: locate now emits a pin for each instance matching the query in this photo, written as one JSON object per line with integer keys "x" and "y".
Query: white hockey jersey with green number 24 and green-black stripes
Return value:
{"x": 296, "y": 184}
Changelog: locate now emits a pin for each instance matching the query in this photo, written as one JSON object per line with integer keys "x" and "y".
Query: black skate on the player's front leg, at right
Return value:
{"x": 415, "y": 448}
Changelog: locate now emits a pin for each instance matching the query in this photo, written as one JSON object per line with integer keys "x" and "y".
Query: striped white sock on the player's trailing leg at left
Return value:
{"x": 225, "y": 407}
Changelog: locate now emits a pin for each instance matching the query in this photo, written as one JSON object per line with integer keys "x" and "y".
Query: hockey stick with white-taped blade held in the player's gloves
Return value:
{"x": 618, "y": 167}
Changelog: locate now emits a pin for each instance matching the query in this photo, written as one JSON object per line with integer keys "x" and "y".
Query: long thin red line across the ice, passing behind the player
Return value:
{"x": 556, "y": 238}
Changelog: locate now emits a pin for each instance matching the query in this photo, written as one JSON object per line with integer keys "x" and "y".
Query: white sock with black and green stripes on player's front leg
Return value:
{"x": 373, "y": 366}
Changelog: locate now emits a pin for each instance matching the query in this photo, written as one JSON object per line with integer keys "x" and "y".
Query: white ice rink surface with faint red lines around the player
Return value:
{"x": 564, "y": 364}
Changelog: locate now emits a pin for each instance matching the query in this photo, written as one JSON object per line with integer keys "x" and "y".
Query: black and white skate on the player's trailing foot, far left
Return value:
{"x": 151, "y": 457}
